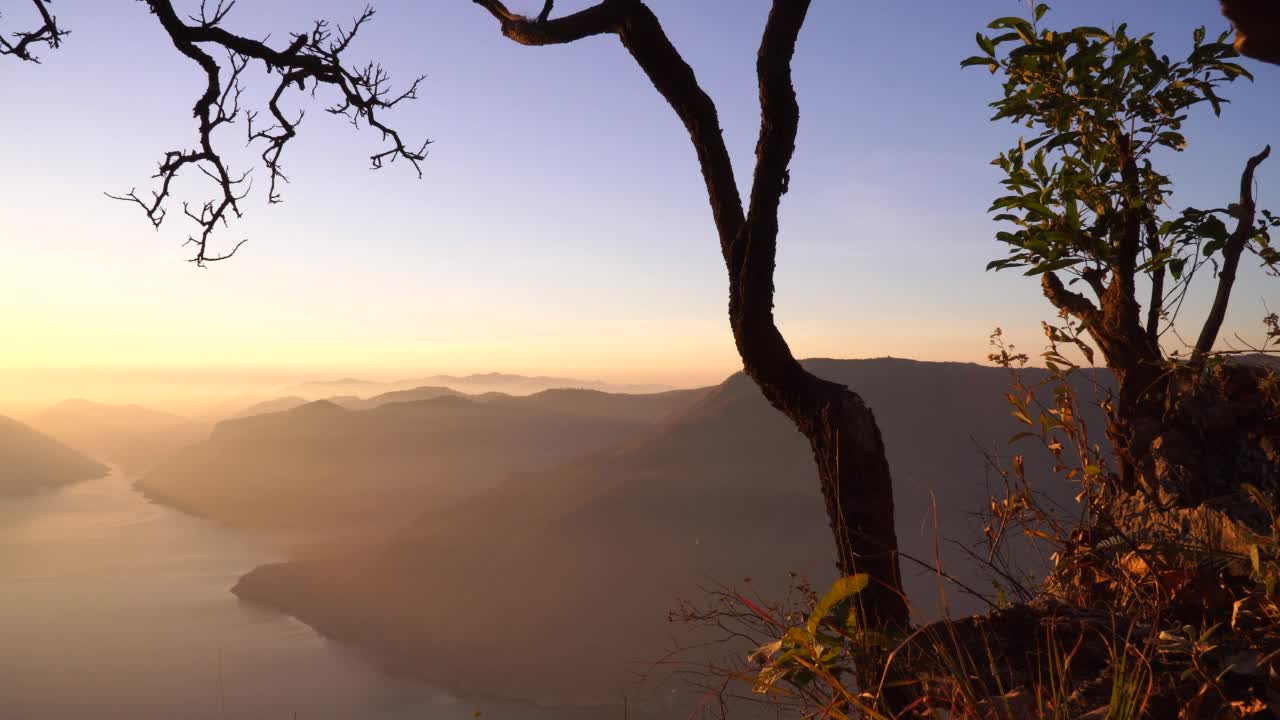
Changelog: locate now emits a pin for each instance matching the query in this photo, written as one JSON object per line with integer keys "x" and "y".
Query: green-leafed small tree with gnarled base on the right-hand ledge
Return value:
{"x": 1086, "y": 203}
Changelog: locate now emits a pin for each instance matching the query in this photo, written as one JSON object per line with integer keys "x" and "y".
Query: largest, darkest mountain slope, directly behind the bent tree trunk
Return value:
{"x": 560, "y": 581}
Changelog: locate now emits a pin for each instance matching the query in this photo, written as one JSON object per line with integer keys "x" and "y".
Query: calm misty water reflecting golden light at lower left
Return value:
{"x": 117, "y": 608}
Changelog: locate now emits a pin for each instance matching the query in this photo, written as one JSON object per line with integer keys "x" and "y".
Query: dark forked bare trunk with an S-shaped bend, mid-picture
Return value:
{"x": 842, "y": 430}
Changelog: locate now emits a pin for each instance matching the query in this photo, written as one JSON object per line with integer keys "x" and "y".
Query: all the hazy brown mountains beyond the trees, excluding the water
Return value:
{"x": 531, "y": 544}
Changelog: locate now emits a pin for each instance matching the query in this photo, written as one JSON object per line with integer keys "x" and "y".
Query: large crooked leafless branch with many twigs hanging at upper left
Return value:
{"x": 314, "y": 56}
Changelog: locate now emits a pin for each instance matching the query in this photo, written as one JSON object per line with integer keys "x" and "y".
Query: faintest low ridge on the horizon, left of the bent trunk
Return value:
{"x": 473, "y": 385}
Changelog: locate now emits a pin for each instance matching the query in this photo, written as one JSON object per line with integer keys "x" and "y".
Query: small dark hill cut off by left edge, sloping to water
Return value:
{"x": 33, "y": 462}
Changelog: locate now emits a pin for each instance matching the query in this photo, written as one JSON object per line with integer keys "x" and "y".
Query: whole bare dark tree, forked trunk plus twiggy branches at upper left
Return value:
{"x": 842, "y": 430}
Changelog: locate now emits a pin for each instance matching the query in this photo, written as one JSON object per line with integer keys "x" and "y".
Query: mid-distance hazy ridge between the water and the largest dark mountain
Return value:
{"x": 321, "y": 467}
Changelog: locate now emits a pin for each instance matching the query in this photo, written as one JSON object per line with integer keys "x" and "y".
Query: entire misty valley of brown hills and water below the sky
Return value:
{"x": 433, "y": 553}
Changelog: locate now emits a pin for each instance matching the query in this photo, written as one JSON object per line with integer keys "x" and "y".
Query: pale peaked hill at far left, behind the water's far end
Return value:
{"x": 134, "y": 438}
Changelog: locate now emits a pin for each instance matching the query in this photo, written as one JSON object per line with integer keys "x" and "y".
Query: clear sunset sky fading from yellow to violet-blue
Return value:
{"x": 561, "y": 226}
